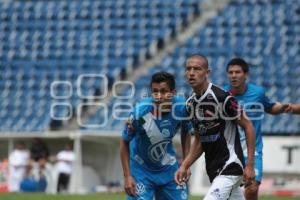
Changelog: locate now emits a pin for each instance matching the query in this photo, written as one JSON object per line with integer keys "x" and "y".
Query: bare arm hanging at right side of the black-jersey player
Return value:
{"x": 246, "y": 124}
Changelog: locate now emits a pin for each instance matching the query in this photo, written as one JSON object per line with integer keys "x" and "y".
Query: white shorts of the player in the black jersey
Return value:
{"x": 225, "y": 187}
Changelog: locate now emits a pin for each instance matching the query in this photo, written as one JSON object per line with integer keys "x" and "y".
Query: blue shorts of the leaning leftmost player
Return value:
{"x": 159, "y": 185}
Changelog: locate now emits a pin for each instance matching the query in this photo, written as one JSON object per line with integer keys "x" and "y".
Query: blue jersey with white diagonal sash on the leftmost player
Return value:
{"x": 151, "y": 143}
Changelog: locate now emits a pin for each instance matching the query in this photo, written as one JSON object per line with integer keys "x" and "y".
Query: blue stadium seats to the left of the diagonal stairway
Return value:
{"x": 46, "y": 41}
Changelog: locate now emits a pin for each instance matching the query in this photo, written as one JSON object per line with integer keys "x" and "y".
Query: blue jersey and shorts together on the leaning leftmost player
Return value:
{"x": 152, "y": 155}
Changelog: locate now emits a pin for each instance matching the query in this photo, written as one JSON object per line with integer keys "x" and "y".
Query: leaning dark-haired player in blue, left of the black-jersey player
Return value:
{"x": 147, "y": 153}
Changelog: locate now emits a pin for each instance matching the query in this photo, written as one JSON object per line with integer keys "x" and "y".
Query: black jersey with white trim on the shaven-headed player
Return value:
{"x": 214, "y": 116}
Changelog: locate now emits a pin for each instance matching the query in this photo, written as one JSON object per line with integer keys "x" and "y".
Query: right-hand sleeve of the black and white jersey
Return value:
{"x": 231, "y": 107}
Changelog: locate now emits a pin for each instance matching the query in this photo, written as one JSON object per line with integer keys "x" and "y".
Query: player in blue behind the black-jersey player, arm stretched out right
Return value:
{"x": 255, "y": 102}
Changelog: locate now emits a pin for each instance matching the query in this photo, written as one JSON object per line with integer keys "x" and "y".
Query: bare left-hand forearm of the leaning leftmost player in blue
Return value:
{"x": 128, "y": 179}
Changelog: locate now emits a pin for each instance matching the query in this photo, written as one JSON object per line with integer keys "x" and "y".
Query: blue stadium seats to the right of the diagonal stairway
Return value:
{"x": 265, "y": 33}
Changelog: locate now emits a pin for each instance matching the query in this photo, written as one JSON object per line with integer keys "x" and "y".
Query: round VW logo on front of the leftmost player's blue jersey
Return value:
{"x": 158, "y": 151}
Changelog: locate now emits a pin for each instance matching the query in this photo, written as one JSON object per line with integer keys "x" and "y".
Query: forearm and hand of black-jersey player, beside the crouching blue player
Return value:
{"x": 195, "y": 152}
